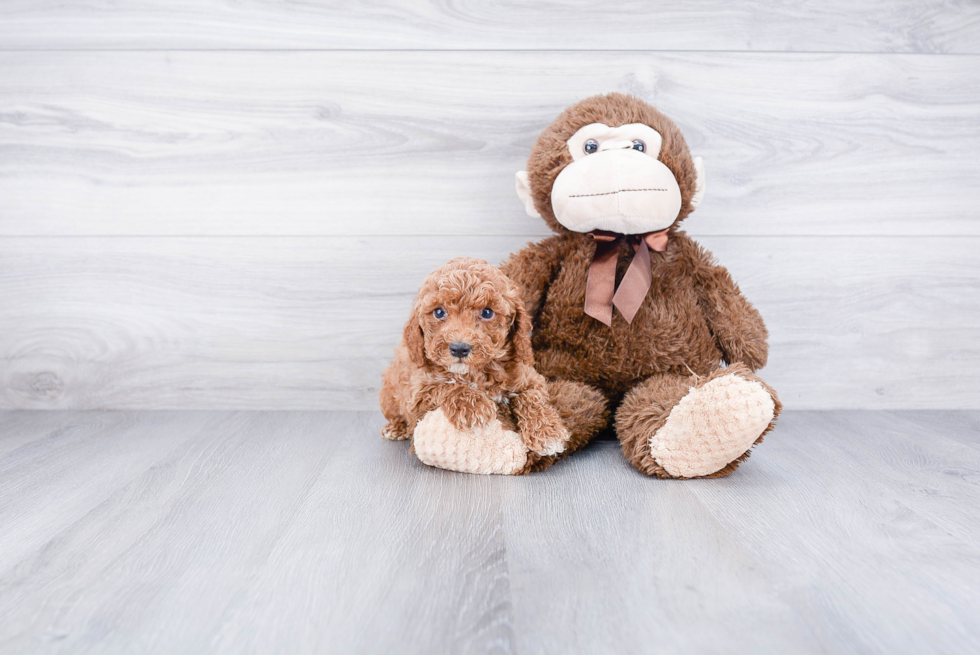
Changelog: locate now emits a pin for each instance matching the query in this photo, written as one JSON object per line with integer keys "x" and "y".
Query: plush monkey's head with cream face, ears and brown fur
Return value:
{"x": 612, "y": 176}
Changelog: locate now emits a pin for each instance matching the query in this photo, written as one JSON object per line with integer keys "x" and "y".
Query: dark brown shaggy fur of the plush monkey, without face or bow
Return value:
{"x": 694, "y": 316}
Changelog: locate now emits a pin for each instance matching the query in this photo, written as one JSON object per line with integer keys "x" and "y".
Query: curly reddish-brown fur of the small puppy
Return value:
{"x": 495, "y": 380}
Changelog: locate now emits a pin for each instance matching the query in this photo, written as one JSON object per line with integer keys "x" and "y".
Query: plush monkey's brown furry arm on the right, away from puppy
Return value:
{"x": 738, "y": 328}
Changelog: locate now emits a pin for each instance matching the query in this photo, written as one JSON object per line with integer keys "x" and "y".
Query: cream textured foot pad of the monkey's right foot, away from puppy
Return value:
{"x": 712, "y": 426}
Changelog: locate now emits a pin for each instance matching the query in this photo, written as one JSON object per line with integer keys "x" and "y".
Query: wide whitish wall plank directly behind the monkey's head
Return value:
{"x": 427, "y": 143}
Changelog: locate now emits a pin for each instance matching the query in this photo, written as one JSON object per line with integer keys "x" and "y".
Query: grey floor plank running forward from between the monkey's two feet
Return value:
{"x": 653, "y": 560}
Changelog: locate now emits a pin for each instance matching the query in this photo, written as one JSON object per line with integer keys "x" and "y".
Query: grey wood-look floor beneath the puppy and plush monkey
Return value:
{"x": 183, "y": 532}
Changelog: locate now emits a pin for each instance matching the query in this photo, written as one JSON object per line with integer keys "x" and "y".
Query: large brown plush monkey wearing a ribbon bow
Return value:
{"x": 632, "y": 319}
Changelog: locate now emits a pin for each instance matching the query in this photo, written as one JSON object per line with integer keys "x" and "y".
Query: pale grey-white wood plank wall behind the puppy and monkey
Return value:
{"x": 230, "y": 205}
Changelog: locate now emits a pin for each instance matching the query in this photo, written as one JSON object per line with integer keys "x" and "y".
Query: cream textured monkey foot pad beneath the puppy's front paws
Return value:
{"x": 489, "y": 449}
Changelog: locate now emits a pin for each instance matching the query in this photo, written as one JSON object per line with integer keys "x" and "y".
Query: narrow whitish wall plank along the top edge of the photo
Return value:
{"x": 866, "y": 26}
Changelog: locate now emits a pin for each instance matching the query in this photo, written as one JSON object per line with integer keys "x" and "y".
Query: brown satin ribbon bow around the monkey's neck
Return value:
{"x": 600, "y": 289}
